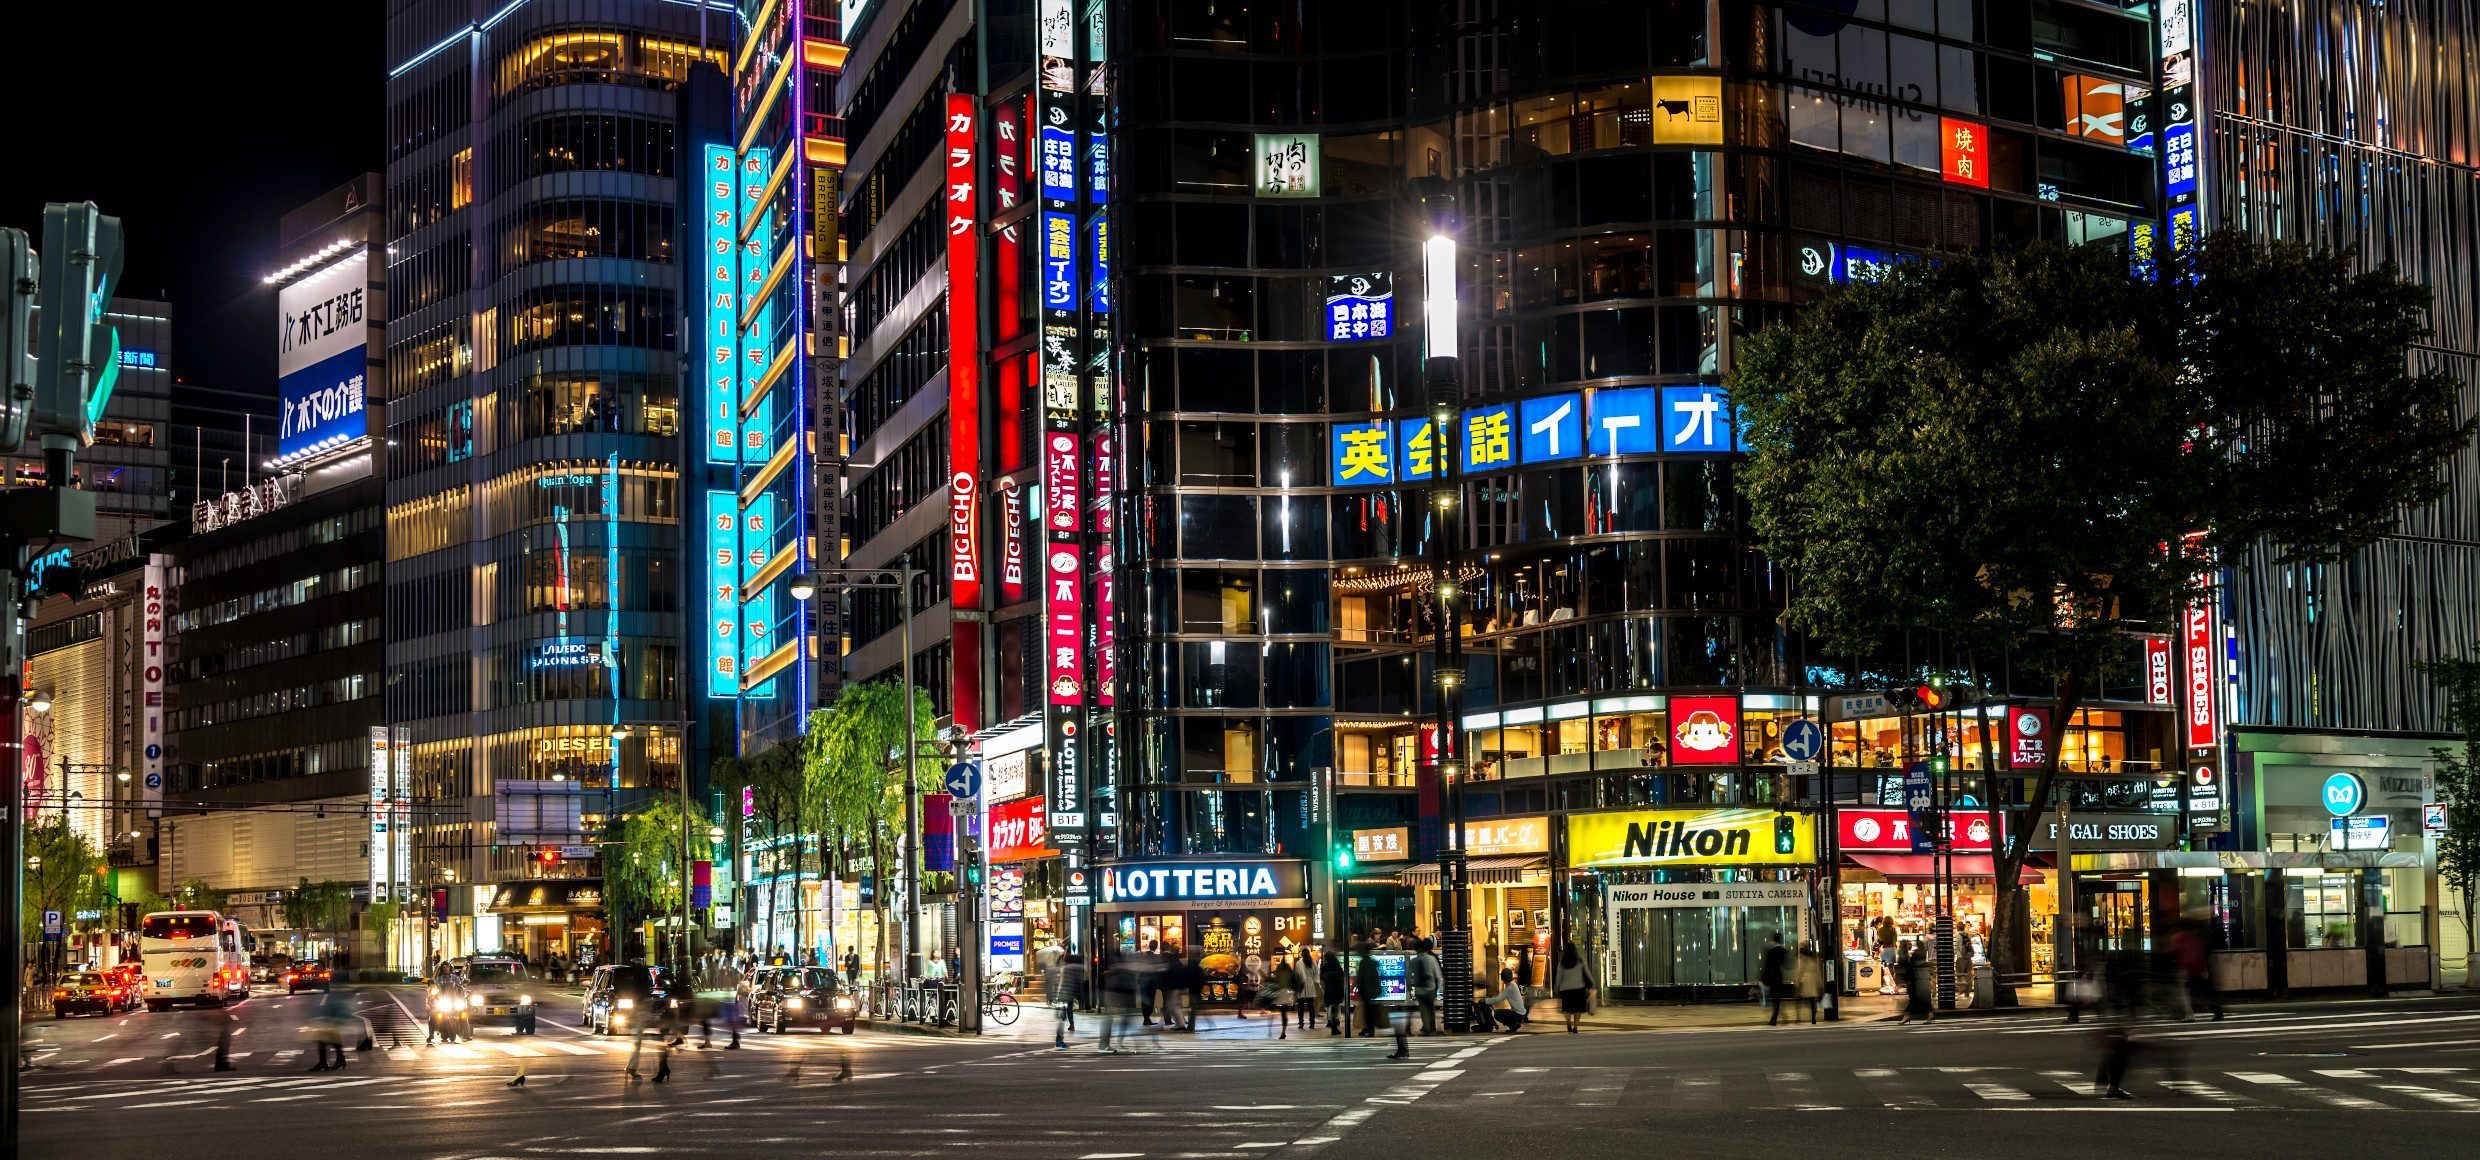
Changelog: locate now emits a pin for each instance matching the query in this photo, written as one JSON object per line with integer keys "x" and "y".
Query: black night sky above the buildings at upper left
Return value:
{"x": 200, "y": 128}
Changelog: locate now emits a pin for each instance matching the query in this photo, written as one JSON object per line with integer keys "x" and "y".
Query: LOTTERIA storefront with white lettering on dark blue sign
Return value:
{"x": 1229, "y": 916}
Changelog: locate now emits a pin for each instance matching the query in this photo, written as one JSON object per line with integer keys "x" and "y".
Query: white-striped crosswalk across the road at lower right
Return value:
{"x": 1668, "y": 1089}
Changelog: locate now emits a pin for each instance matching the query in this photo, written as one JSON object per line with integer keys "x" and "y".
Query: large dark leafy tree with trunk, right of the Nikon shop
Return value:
{"x": 2035, "y": 452}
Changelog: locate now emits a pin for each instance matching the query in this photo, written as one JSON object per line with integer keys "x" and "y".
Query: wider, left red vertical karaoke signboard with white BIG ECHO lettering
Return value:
{"x": 963, "y": 410}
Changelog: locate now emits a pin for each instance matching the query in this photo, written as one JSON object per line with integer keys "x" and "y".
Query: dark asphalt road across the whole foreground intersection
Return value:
{"x": 2360, "y": 1079}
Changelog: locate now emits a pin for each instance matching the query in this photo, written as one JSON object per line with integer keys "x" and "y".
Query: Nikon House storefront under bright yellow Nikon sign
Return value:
{"x": 1683, "y": 903}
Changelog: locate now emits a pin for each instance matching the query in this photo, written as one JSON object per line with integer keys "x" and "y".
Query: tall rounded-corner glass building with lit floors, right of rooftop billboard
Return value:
{"x": 534, "y": 507}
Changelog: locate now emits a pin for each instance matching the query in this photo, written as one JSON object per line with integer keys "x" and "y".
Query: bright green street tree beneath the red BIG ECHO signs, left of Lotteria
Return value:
{"x": 849, "y": 767}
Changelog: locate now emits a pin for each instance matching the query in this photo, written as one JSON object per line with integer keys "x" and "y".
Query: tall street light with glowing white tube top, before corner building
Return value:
{"x": 1442, "y": 380}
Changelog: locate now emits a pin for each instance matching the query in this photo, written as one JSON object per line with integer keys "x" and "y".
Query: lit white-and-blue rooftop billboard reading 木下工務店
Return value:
{"x": 324, "y": 358}
